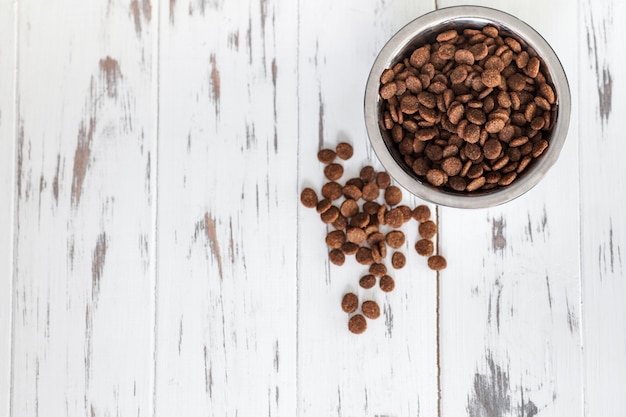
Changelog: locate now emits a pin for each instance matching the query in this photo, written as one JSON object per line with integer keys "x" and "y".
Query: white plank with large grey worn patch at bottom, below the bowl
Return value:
{"x": 510, "y": 298}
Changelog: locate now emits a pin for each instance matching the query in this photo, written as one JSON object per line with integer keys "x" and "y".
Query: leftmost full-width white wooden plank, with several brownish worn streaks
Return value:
{"x": 83, "y": 287}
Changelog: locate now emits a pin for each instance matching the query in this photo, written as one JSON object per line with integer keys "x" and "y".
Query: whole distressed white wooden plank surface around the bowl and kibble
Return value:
{"x": 155, "y": 259}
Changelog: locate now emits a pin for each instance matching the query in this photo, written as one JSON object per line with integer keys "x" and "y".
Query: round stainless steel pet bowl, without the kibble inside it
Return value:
{"x": 425, "y": 29}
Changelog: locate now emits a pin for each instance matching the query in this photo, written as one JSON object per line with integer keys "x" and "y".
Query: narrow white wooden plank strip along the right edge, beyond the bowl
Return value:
{"x": 602, "y": 190}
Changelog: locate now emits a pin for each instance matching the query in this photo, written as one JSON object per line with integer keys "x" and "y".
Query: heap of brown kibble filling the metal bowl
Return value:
{"x": 470, "y": 111}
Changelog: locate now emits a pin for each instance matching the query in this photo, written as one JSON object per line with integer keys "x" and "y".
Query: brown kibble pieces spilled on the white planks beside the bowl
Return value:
{"x": 366, "y": 218}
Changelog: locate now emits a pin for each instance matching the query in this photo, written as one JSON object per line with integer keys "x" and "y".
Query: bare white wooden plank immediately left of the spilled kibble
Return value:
{"x": 226, "y": 286}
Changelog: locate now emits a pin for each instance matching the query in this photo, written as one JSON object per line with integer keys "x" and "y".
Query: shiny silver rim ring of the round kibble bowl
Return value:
{"x": 440, "y": 17}
